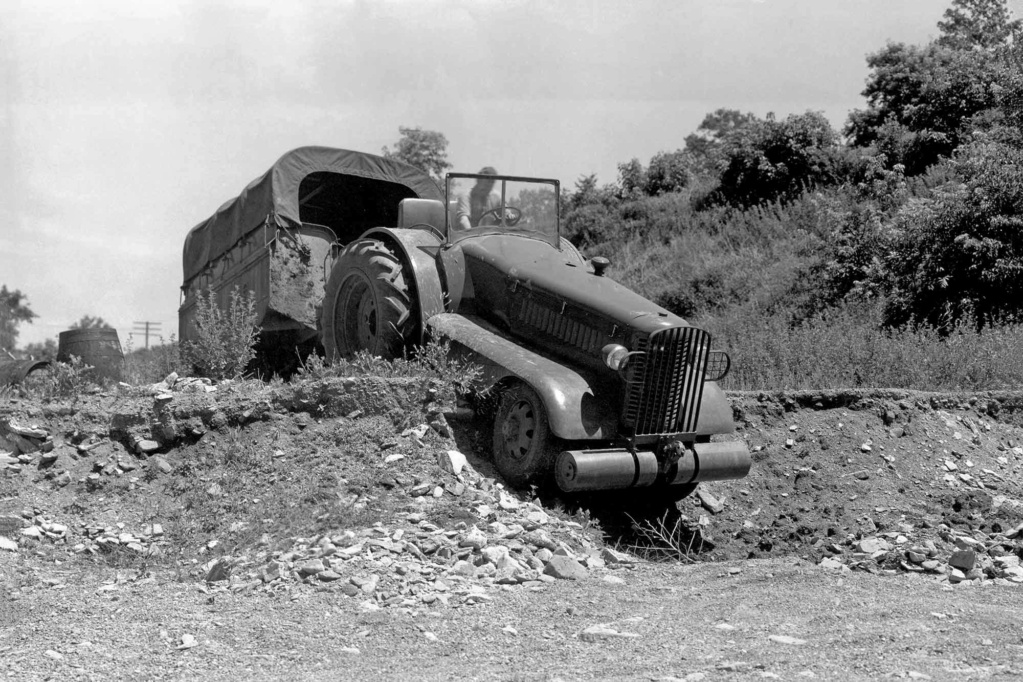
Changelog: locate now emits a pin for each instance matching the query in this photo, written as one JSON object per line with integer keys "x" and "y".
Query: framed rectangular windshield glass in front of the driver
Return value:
{"x": 496, "y": 204}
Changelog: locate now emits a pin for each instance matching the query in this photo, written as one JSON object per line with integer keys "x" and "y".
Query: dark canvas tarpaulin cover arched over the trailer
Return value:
{"x": 275, "y": 197}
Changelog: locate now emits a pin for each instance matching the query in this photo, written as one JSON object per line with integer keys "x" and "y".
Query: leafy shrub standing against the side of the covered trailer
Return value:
{"x": 226, "y": 340}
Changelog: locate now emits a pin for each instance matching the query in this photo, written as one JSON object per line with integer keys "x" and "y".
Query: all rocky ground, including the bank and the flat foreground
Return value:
{"x": 373, "y": 502}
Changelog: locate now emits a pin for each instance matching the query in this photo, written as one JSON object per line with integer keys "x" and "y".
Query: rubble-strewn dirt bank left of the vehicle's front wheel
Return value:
{"x": 258, "y": 487}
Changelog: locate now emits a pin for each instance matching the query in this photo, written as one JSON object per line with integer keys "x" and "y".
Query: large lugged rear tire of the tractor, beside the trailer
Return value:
{"x": 367, "y": 304}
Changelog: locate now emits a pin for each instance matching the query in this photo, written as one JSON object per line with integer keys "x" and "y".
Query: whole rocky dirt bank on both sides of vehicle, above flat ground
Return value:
{"x": 259, "y": 485}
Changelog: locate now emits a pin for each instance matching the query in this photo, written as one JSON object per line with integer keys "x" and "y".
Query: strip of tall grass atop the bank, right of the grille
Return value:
{"x": 850, "y": 348}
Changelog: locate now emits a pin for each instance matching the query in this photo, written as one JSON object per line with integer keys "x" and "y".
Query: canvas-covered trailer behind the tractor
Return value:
{"x": 278, "y": 239}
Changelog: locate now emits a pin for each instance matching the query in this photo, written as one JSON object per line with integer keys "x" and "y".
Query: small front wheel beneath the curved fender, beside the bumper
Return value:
{"x": 523, "y": 443}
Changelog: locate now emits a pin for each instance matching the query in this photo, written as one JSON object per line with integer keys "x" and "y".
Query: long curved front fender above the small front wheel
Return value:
{"x": 576, "y": 410}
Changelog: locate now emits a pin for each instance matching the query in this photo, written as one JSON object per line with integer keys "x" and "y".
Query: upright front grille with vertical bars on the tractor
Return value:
{"x": 665, "y": 382}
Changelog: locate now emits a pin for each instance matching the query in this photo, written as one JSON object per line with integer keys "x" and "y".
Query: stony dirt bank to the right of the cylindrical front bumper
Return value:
{"x": 834, "y": 469}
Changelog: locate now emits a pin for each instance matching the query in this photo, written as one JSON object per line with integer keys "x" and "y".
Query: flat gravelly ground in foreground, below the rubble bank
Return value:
{"x": 778, "y": 619}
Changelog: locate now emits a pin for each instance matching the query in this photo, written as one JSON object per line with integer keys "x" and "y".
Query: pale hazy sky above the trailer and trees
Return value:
{"x": 124, "y": 124}
